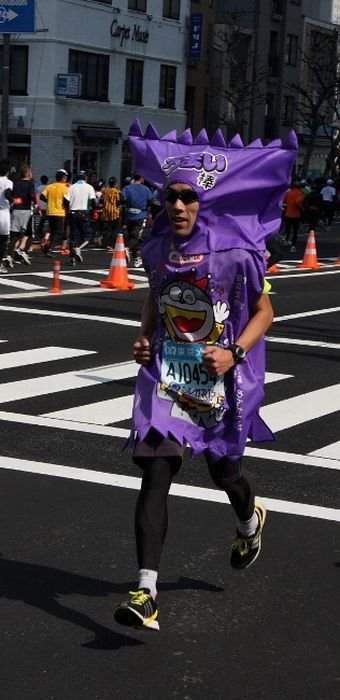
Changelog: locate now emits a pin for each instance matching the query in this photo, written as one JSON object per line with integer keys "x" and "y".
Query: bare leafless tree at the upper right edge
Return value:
{"x": 316, "y": 105}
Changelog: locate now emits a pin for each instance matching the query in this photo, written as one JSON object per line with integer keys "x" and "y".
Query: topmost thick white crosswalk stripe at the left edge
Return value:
{"x": 39, "y": 355}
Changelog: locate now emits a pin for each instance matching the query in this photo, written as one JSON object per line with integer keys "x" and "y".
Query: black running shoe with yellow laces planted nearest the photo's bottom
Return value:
{"x": 139, "y": 611}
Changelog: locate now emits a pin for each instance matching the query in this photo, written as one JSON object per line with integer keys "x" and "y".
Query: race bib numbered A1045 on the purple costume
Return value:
{"x": 183, "y": 374}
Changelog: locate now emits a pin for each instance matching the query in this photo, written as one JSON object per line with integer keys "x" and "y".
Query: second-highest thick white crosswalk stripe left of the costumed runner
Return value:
{"x": 65, "y": 381}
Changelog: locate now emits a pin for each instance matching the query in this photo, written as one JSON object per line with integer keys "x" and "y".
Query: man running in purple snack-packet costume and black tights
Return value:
{"x": 201, "y": 341}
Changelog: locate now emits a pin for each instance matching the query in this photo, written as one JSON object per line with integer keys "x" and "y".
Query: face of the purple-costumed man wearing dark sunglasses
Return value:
{"x": 182, "y": 214}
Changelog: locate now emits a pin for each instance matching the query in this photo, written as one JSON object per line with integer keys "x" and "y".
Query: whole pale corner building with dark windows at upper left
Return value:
{"x": 87, "y": 72}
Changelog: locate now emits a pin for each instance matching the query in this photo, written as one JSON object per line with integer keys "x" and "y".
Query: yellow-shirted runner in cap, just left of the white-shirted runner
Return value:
{"x": 54, "y": 195}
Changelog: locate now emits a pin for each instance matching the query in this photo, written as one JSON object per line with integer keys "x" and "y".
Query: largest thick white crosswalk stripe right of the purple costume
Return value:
{"x": 299, "y": 409}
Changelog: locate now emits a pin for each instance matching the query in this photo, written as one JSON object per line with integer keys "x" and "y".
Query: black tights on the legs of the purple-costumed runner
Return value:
{"x": 151, "y": 516}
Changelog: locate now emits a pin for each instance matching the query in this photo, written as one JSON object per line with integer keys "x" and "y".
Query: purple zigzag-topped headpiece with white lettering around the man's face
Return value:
{"x": 240, "y": 188}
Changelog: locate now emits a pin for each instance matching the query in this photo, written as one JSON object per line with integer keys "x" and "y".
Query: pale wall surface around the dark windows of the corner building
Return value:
{"x": 85, "y": 25}
